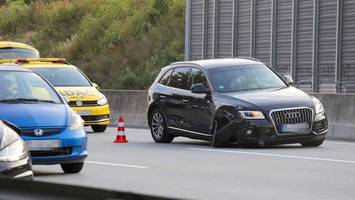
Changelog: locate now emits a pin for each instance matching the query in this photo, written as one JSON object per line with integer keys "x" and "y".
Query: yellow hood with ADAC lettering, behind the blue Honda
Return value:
{"x": 80, "y": 93}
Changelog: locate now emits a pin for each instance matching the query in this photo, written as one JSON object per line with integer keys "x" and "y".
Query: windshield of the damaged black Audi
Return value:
{"x": 244, "y": 78}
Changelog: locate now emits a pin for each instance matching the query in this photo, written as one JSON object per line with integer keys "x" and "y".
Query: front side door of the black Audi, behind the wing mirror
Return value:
{"x": 198, "y": 113}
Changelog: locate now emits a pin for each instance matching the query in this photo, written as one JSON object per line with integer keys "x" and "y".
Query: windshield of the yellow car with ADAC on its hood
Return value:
{"x": 63, "y": 76}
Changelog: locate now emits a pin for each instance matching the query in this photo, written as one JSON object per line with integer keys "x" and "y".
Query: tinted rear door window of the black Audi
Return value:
{"x": 179, "y": 78}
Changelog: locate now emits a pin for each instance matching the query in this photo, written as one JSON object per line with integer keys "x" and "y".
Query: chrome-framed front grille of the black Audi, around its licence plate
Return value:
{"x": 292, "y": 116}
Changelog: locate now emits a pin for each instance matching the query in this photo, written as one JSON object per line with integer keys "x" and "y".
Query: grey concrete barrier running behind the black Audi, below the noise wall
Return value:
{"x": 340, "y": 109}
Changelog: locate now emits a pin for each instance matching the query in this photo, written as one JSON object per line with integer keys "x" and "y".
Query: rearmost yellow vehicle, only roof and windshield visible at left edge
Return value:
{"x": 10, "y": 50}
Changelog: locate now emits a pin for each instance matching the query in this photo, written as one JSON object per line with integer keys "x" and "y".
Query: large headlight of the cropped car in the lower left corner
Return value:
{"x": 12, "y": 148}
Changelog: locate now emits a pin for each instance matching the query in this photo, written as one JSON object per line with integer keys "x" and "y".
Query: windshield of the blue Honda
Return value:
{"x": 25, "y": 86}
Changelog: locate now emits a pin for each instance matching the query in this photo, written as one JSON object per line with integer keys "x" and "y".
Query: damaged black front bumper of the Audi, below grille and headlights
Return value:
{"x": 262, "y": 132}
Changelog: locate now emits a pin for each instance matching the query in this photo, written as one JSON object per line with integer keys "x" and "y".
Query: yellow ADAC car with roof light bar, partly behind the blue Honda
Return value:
{"x": 71, "y": 82}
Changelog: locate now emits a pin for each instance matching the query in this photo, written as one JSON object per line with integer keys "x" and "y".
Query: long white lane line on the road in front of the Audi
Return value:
{"x": 276, "y": 155}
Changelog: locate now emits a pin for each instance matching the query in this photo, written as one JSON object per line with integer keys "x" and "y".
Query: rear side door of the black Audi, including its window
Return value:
{"x": 176, "y": 97}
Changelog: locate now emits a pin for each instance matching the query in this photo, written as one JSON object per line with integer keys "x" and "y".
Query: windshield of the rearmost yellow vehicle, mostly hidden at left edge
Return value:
{"x": 9, "y": 53}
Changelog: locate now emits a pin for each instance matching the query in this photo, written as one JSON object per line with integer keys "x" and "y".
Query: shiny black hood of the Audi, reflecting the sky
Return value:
{"x": 271, "y": 99}
